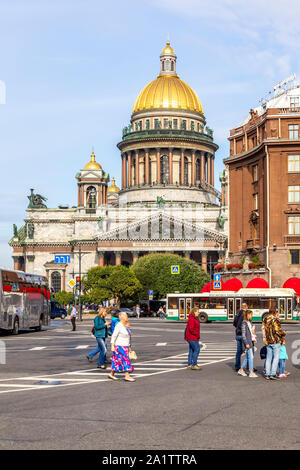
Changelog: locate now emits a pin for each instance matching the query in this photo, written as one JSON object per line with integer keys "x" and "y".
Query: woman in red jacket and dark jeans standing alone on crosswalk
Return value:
{"x": 192, "y": 336}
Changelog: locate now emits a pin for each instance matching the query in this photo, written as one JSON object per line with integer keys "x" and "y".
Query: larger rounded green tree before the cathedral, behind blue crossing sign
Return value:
{"x": 154, "y": 272}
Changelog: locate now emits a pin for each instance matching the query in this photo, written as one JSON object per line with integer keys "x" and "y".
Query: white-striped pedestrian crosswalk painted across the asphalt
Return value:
{"x": 210, "y": 353}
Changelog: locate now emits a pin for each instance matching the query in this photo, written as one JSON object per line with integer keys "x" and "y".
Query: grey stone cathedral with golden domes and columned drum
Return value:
{"x": 167, "y": 202}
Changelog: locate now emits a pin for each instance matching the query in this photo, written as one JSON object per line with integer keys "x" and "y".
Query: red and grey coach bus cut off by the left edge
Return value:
{"x": 24, "y": 301}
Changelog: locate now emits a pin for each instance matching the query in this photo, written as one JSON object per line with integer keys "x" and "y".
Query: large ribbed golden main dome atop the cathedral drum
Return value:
{"x": 168, "y": 92}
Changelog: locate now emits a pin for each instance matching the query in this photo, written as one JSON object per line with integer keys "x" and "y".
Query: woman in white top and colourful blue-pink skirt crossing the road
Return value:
{"x": 120, "y": 345}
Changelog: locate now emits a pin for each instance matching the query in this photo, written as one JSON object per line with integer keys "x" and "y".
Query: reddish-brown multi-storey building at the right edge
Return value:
{"x": 264, "y": 189}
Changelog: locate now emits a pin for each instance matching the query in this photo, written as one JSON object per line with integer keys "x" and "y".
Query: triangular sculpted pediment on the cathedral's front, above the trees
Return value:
{"x": 161, "y": 226}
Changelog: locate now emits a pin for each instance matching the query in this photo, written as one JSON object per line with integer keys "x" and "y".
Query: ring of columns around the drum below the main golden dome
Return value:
{"x": 170, "y": 166}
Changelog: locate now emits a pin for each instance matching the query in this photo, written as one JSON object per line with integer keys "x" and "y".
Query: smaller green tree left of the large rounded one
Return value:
{"x": 105, "y": 282}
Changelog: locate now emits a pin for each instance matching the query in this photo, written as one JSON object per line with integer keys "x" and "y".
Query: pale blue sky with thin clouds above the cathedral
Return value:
{"x": 73, "y": 68}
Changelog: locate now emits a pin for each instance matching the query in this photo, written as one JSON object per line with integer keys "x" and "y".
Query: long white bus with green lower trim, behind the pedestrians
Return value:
{"x": 223, "y": 305}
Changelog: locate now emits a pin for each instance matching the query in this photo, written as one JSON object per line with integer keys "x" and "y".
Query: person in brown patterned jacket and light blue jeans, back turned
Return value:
{"x": 273, "y": 336}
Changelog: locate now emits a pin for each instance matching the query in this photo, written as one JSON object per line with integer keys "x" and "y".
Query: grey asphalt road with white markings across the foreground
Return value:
{"x": 52, "y": 398}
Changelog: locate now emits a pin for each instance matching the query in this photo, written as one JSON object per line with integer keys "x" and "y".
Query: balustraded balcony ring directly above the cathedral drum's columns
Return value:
{"x": 167, "y": 133}
